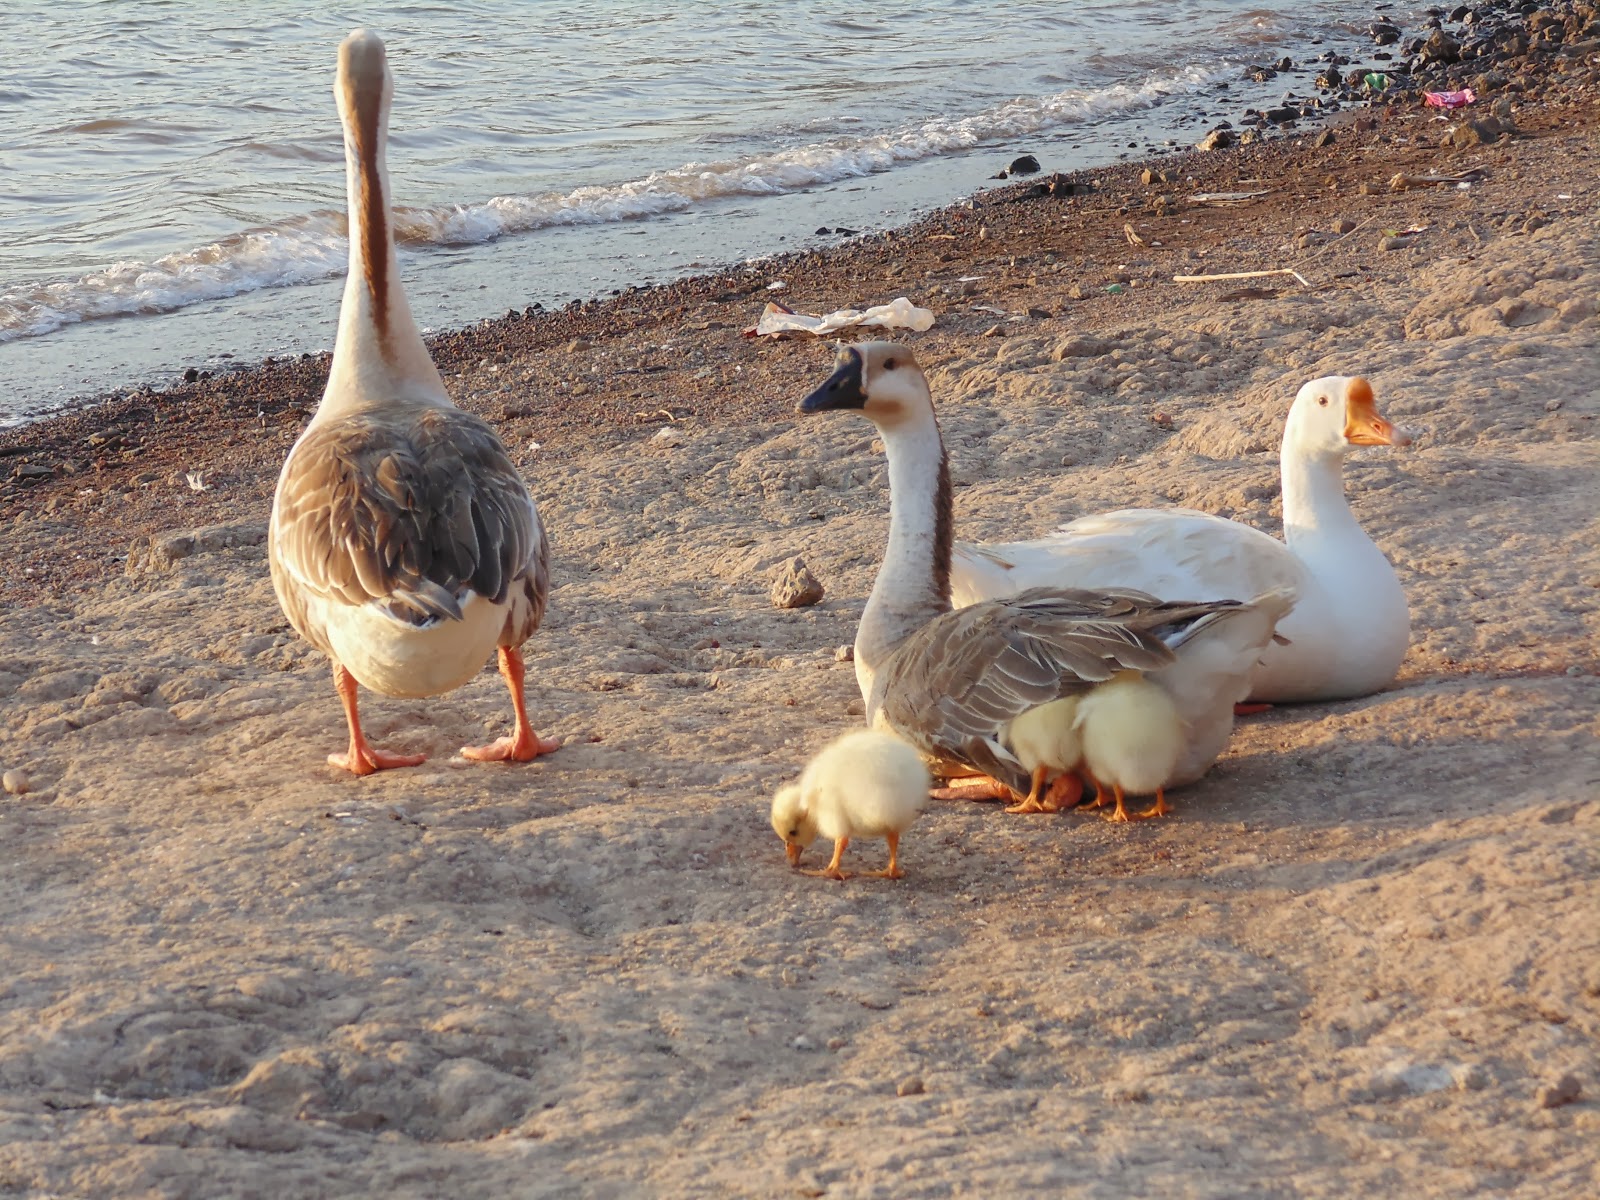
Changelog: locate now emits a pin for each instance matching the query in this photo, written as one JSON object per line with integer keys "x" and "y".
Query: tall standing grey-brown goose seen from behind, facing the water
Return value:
{"x": 404, "y": 545}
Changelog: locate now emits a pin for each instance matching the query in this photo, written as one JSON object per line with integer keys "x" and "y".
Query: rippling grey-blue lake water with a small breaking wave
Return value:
{"x": 172, "y": 185}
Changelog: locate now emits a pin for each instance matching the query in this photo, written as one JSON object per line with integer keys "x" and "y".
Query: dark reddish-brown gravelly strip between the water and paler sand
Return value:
{"x": 124, "y": 463}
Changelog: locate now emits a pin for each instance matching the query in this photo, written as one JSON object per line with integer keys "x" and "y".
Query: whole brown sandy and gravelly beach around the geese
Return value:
{"x": 1361, "y": 959}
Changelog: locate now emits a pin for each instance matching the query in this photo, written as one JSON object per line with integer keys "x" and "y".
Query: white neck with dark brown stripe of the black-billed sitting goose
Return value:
{"x": 914, "y": 583}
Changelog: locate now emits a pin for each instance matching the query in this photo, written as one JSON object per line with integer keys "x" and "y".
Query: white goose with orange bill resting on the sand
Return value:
{"x": 1350, "y": 628}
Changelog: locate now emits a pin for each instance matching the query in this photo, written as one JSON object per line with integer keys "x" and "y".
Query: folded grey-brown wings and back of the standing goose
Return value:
{"x": 407, "y": 511}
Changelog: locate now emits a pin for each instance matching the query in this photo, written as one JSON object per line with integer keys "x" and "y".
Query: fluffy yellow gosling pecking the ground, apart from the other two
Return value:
{"x": 862, "y": 785}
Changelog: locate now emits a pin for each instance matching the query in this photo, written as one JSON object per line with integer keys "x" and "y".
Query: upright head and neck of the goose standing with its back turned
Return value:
{"x": 378, "y": 354}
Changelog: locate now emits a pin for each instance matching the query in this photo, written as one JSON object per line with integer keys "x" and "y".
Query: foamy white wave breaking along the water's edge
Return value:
{"x": 314, "y": 247}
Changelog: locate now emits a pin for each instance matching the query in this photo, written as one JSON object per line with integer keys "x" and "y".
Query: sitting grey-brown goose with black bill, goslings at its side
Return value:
{"x": 951, "y": 681}
